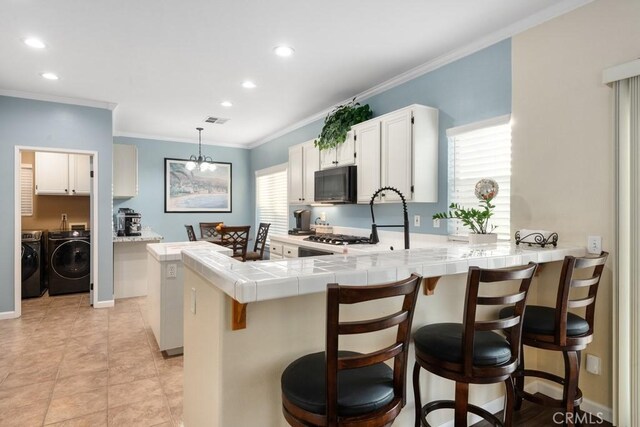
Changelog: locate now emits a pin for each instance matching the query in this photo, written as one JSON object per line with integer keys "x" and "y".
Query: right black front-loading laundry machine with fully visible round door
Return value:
{"x": 69, "y": 254}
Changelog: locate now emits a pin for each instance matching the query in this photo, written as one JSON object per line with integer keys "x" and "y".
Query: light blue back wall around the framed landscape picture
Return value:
{"x": 150, "y": 199}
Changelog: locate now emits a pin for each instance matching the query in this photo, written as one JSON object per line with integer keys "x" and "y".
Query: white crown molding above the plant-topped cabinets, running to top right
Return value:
{"x": 545, "y": 15}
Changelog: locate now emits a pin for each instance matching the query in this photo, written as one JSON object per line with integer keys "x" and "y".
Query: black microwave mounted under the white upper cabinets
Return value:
{"x": 336, "y": 185}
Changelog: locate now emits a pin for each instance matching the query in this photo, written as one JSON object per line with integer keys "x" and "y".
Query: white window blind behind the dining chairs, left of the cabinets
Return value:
{"x": 271, "y": 199}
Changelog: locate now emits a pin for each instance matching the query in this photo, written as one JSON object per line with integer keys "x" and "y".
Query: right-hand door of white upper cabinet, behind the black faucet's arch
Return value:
{"x": 396, "y": 154}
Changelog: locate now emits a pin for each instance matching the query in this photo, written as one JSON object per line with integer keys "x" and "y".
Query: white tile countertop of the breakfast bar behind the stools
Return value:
{"x": 265, "y": 280}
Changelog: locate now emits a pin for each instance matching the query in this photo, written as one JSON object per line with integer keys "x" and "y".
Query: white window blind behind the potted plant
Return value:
{"x": 476, "y": 151}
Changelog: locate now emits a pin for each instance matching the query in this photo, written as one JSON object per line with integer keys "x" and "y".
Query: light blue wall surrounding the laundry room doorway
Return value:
{"x": 47, "y": 124}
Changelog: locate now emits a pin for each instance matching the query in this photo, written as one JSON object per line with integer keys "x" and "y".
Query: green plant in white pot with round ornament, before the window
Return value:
{"x": 476, "y": 219}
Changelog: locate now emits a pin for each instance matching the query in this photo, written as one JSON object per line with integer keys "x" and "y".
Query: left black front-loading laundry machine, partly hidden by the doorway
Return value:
{"x": 33, "y": 284}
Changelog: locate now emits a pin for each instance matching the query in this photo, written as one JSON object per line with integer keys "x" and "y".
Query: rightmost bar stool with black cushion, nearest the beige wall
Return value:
{"x": 555, "y": 328}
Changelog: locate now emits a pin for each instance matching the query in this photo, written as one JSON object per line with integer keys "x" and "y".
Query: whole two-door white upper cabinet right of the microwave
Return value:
{"x": 400, "y": 150}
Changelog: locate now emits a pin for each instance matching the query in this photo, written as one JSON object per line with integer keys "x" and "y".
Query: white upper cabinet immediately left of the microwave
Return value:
{"x": 304, "y": 160}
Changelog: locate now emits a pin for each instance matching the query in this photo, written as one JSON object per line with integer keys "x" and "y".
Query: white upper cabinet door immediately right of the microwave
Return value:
{"x": 367, "y": 140}
